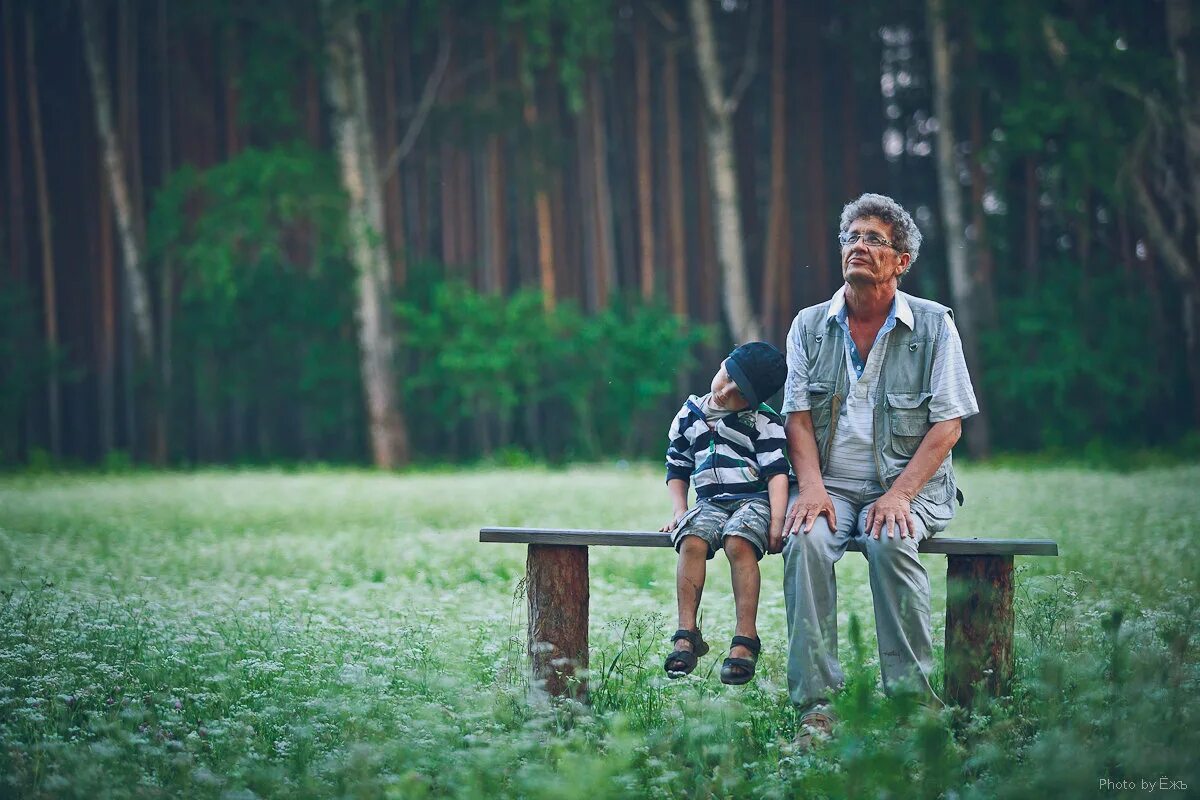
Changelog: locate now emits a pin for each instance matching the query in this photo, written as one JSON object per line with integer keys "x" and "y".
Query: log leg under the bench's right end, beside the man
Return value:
{"x": 979, "y": 627}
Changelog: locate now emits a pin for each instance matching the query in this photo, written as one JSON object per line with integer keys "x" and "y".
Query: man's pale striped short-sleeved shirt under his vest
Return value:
{"x": 851, "y": 454}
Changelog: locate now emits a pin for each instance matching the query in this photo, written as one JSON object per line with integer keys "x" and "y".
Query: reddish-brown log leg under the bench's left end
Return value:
{"x": 557, "y": 588}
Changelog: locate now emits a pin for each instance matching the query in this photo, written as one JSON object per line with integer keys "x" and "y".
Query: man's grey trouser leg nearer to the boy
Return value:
{"x": 811, "y": 594}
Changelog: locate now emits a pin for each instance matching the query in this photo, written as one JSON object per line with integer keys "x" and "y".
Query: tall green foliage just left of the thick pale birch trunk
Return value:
{"x": 267, "y": 288}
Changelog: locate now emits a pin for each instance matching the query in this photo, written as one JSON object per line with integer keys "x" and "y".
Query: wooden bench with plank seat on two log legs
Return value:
{"x": 979, "y": 605}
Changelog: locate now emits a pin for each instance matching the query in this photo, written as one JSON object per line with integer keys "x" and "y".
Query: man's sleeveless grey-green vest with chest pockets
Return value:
{"x": 901, "y": 416}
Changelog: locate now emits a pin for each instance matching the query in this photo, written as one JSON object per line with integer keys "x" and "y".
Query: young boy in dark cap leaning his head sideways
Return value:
{"x": 731, "y": 447}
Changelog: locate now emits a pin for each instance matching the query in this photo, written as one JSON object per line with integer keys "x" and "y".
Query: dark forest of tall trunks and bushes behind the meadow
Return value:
{"x": 416, "y": 231}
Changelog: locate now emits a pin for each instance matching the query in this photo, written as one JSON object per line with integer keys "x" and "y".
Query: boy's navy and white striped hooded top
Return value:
{"x": 730, "y": 458}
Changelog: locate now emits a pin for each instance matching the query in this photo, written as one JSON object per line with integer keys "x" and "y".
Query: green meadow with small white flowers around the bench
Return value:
{"x": 238, "y": 635}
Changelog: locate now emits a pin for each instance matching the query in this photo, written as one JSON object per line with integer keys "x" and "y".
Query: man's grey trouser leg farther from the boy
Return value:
{"x": 901, "y": 596}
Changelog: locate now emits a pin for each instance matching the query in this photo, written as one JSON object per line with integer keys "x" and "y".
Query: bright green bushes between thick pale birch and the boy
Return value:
{"x": 481, "y": 354}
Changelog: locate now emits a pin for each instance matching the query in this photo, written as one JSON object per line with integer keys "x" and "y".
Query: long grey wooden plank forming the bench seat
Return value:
{"x": 939, "y": 545}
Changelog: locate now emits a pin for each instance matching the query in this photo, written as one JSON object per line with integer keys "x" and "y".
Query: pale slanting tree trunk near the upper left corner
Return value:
{"x": 118, "y": 185}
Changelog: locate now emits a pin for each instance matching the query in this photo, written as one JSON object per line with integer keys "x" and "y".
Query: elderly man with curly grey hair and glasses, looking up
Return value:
{"x": 875, "y": 399}
